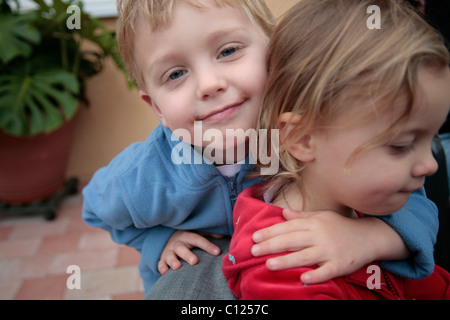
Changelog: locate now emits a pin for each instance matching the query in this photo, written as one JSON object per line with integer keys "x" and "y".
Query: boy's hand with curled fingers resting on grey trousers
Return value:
{"x": 180, "y": 245}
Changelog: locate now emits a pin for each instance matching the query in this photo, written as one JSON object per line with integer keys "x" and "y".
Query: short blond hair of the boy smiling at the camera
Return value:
{"x": 158, "y": 14}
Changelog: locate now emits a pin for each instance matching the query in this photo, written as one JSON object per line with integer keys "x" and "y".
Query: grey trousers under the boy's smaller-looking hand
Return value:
{"x": 203, "y": 281}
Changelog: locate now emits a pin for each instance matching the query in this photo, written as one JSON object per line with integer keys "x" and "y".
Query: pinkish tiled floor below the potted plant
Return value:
{"x": 35, "y": 255}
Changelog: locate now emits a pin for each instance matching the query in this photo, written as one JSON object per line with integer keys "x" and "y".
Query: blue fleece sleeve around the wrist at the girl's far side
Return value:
{"x": 417, "y": 223}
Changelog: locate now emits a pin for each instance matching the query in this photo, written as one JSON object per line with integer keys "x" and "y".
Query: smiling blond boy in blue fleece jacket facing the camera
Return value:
{"x": 194, "y": 61}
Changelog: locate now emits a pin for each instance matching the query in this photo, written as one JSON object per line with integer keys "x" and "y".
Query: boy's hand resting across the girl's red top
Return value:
{"x": 339, "y": 245}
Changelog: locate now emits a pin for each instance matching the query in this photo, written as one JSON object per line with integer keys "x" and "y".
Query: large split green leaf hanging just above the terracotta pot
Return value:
{"x": 31, "y": 103}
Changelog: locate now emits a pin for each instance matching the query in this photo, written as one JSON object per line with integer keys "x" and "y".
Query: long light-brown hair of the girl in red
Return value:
{"x": 323, "y": 55}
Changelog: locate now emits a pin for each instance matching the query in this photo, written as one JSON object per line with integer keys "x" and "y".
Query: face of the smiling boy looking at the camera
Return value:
{"x": 208, "y": 66}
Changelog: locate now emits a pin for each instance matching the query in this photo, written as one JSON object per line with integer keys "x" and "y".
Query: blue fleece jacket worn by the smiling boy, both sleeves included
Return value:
{"x": 142, "y": 197}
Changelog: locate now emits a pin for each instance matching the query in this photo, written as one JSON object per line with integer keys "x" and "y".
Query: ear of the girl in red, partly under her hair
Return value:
{"x": 303, "y": 149}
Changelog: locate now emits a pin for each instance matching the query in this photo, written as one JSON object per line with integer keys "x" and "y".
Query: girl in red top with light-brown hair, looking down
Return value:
{"x": 356, "y": 109}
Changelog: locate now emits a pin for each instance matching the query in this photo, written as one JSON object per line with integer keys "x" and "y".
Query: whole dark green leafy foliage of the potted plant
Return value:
{"x": 37, "y": 51}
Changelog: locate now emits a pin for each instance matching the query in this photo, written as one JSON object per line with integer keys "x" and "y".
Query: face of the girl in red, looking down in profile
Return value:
{"x": 380, "y": 179}
